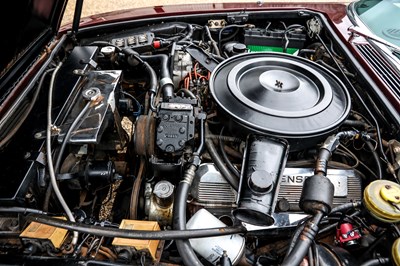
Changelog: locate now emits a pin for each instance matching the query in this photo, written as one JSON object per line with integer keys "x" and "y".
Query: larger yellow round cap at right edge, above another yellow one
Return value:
{"x": 381, "y": 198}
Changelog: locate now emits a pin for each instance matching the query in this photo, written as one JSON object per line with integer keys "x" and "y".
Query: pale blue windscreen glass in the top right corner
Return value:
{"x": 381, "y": 17}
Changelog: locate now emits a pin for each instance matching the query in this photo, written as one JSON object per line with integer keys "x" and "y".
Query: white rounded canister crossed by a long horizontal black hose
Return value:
{"x": 212, "y": 248}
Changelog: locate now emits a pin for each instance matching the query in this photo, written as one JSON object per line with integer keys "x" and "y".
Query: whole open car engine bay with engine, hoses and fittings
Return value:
{"x": 227, "y": 139}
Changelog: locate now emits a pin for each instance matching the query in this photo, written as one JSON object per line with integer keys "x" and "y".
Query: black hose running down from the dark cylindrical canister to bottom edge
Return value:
{"x": 304, "y": 241}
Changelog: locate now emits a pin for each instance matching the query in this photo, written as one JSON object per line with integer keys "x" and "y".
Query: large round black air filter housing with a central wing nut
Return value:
{"x": 279, "y": 95}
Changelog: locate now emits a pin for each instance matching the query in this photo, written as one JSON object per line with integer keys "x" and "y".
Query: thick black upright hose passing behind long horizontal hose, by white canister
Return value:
{"x": 186, "y": 251}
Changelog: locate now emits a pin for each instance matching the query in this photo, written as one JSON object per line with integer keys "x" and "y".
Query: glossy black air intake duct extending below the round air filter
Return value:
{"x": 264, "y": 161}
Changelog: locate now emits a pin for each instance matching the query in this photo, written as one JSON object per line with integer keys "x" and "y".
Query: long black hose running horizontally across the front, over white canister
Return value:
{"x": 134, "y": 234}
